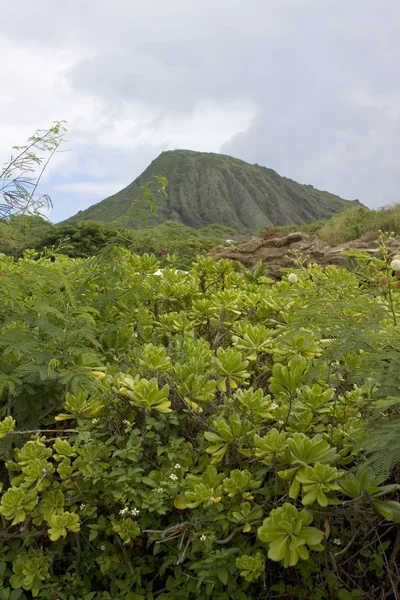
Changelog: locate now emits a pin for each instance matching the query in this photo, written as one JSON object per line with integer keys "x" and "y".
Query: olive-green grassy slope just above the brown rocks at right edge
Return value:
{"x": 358, "y": 222}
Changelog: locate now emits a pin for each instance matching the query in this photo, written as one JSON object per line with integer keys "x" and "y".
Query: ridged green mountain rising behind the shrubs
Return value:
{"x": 205, "y": 188}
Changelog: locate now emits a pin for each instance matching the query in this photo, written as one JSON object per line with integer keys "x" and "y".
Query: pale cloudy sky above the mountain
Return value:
{"x": 310, "y": 88}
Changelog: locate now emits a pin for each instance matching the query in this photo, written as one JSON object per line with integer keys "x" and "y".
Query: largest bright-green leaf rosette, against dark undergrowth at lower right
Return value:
{"x": 289, "y": 535}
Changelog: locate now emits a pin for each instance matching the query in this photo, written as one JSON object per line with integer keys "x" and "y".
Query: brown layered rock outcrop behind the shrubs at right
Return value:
{"x": 276, "y": 252}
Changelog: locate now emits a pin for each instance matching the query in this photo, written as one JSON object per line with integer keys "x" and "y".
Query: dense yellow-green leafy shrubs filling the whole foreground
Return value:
{"x": 202, "y": 435}
